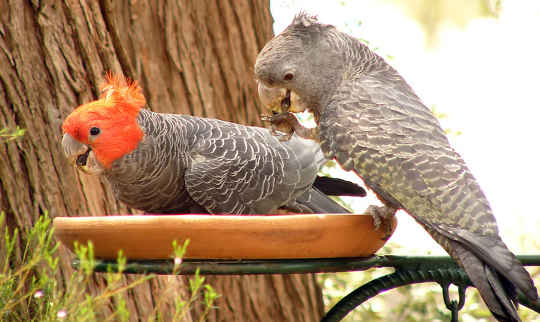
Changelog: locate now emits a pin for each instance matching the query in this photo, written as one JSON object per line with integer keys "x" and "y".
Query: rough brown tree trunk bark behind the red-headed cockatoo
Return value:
{"x": 193, "y": 57}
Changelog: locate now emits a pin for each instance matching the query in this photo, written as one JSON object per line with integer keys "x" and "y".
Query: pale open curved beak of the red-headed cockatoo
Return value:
{"x": 80, "y": 155}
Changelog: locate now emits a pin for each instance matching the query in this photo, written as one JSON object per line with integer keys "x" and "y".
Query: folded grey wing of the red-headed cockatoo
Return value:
{"x": 245, "y": 170}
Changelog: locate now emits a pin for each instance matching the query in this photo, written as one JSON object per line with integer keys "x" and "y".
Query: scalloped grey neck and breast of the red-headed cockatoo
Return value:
{"x": 145, "y": 173}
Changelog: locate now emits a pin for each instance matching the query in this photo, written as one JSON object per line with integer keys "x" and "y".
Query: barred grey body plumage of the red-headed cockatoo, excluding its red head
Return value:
{"x": 187, "y": 164}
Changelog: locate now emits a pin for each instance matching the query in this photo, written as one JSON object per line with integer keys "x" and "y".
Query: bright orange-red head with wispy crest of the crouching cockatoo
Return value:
{"x": 108, "y": 126}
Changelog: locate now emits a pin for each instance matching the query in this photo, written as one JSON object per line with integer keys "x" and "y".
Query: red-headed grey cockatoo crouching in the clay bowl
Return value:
{"x": 165, "y": 163}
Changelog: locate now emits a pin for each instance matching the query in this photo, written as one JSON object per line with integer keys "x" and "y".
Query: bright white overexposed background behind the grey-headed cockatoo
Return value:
{"x": 485, "y": 78}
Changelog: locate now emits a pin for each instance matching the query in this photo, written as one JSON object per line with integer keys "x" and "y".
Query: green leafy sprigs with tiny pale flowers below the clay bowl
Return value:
{"x": 32, "y": 290}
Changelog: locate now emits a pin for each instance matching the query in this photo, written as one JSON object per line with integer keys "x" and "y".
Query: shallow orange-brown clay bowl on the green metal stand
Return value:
{"x": 224, "y": 236}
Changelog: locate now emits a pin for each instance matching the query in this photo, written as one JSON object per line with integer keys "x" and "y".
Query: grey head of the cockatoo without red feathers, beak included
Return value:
{"x": 301, "y": 65}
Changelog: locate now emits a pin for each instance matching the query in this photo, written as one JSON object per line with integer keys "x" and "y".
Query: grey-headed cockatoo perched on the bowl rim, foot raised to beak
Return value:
{"x": 373, "y": 123}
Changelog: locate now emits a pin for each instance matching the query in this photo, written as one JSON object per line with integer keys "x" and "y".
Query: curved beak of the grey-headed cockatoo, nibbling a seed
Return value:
{"x": 280, "y": 99}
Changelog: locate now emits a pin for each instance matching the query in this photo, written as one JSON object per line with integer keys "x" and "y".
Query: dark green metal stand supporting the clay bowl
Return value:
{"x": 408, "y": 270}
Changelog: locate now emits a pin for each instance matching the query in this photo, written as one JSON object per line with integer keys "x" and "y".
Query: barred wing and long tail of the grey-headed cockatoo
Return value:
{"x": 378, "y": 127}
